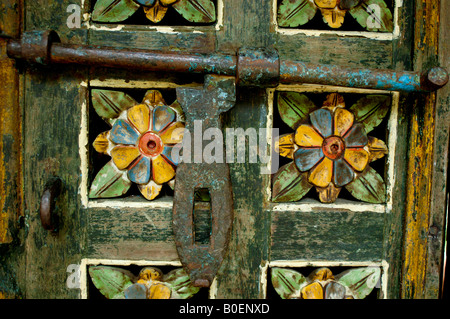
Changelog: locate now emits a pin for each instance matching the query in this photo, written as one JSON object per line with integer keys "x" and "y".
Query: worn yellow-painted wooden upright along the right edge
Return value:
{"x": 425, "y": 205}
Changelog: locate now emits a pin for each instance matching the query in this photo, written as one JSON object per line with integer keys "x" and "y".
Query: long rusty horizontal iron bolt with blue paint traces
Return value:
{"x": 251, "y": 67}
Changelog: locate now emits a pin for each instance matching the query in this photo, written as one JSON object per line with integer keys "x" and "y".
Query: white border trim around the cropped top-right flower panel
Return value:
{"x": 315, "y": 33}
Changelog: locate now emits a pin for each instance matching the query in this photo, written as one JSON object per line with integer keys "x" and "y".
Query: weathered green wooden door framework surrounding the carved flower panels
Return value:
{"x": 396, "y": 235}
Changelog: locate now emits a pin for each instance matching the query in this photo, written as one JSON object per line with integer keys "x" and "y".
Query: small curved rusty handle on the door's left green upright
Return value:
{"x": 52, "y": 189}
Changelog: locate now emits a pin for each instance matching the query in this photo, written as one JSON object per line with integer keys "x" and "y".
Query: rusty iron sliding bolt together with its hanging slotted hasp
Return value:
{"x": 223, "y": 73}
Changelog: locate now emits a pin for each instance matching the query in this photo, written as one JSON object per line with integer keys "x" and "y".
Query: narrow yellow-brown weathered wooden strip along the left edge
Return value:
{"x": 12, "y": 255}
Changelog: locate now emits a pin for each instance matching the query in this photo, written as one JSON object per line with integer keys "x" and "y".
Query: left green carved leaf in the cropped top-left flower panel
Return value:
{"x": 113, "y": 10}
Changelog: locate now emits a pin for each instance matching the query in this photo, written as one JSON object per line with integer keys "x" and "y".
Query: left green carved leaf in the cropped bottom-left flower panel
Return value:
{"x": 111, "y": 281}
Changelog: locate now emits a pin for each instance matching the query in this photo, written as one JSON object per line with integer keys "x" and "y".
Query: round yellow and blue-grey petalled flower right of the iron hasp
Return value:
{"x": 332, "y": 148}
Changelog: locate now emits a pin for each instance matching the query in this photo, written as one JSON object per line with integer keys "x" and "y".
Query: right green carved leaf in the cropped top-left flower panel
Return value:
{"x": 198, "y": 11}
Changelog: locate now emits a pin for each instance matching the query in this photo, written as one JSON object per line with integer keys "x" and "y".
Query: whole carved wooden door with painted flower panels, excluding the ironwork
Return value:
{"x": 338, "y": 187}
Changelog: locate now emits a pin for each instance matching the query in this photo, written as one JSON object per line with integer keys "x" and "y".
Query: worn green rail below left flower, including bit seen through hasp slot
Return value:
{"x": 138, "y": 233}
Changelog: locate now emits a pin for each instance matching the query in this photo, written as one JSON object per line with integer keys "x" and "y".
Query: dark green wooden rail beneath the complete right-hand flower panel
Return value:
{"x": 337, "y": 235}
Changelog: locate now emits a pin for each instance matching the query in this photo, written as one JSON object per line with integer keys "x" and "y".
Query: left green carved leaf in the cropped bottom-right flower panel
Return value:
{"x": 287, "y": 283}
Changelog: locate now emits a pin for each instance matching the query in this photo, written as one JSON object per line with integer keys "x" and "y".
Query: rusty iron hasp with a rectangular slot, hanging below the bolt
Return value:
{"x": 204, "y": 104}
